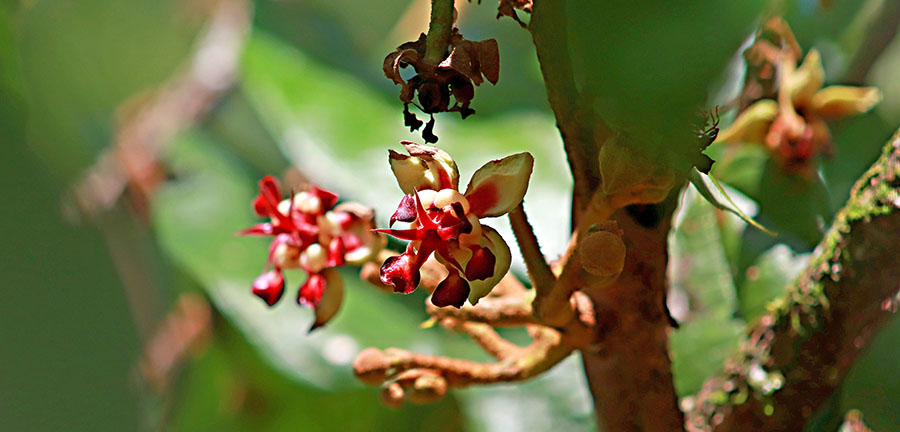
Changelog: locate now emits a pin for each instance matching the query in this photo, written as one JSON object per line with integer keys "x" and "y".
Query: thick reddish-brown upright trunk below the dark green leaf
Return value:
{"x": 630, "y": 375}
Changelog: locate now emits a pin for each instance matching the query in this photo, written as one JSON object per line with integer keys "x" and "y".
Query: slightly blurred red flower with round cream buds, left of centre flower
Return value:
{"x": 312, "y": 234}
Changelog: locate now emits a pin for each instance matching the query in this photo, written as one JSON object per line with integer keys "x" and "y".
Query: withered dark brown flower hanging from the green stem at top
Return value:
{"x": 465, "y": 65}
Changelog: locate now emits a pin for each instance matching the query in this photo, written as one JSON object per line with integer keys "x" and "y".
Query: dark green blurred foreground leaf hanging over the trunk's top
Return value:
{"x": 647, "y": 65}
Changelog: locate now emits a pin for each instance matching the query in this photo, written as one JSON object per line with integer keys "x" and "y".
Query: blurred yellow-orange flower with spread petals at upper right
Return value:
{"x": 789, "y": 116}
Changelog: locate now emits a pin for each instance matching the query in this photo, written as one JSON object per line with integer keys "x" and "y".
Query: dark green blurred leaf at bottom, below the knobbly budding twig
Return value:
{"x": 227, "y": 388}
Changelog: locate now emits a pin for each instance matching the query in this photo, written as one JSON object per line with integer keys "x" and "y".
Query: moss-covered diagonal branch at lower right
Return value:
{"x": 797, "y": 355}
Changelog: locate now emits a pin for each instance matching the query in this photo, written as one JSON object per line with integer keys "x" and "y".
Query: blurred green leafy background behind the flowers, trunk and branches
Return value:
{"x": 85, "y": 292}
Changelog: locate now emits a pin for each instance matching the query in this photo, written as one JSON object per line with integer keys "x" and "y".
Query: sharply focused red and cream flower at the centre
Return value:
{"x": 444, "y": 222}
